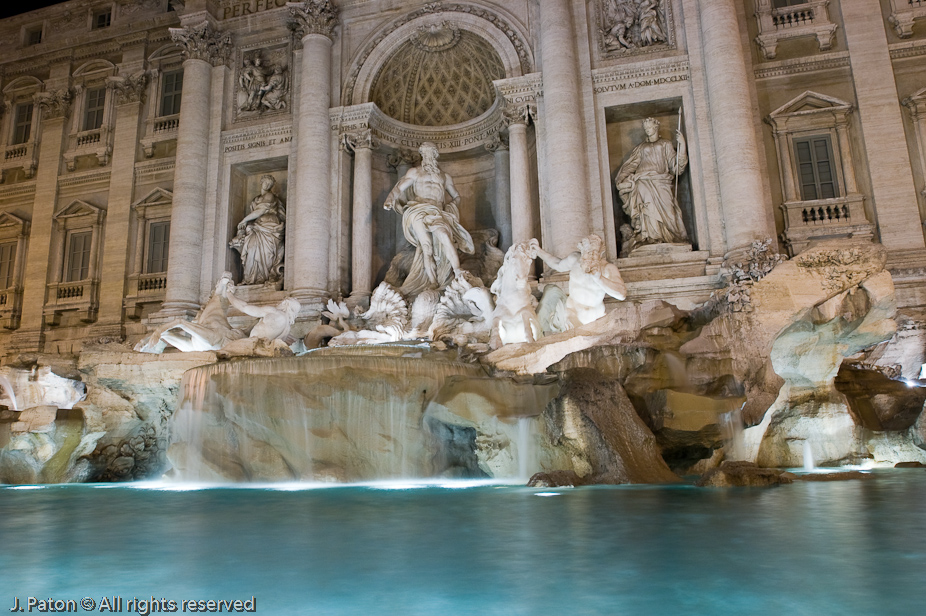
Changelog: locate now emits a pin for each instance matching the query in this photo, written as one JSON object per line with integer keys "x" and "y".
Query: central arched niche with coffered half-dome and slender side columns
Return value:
{"x": 457, "y": 77}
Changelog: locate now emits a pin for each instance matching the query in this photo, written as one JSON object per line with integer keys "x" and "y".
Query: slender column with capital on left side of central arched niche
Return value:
{"x": 361, "y": 143}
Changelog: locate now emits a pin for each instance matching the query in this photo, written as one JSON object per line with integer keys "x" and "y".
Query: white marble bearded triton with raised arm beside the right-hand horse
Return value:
{"x": 591, "y": 277}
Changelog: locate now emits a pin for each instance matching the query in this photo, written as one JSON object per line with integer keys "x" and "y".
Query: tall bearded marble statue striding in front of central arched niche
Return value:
{"x": 431, "y": 223}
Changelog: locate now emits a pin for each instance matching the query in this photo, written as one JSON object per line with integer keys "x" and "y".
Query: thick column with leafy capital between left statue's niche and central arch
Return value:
{"x": 308, "y": 216}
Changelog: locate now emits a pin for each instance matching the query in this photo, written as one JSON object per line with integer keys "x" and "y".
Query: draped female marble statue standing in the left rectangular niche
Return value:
{"x": 260, "y": 236}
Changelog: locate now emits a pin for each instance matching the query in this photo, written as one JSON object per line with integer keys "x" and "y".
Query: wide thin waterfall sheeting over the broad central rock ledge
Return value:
{"x": 321, "y": 416}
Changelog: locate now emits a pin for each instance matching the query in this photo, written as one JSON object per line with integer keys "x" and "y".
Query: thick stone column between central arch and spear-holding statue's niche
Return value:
{"x": 565, "y": 167}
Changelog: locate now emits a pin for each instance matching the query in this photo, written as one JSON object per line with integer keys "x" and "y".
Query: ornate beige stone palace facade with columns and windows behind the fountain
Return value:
{"x": 148, "y": 146}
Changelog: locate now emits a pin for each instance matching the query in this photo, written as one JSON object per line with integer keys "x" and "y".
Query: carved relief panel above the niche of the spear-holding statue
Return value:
{"x": 632, "y": 24}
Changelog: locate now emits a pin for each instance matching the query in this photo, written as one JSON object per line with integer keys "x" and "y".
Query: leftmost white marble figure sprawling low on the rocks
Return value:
{"x": 208, "y": 331}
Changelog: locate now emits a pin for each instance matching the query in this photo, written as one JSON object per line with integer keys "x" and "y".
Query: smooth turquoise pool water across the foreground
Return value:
{"x": 810, "y": 548}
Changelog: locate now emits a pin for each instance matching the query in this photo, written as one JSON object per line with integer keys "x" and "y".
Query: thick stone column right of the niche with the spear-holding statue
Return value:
{"x": 736, "y": 144}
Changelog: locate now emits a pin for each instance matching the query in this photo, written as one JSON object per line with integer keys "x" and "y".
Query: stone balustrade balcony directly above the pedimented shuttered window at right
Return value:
{"x": 778, "y": 24}
